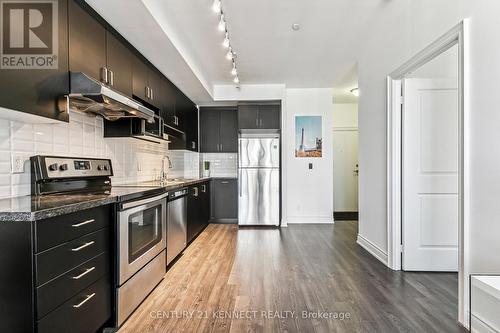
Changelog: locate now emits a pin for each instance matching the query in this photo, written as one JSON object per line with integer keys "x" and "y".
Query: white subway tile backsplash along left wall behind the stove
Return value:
{"x": 133, "y": 160}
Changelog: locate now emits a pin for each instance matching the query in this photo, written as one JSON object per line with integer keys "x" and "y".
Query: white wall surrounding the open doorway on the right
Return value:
{"x": 395, "y": 37}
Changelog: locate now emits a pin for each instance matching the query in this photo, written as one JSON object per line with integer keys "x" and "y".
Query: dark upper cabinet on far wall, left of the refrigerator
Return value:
{"x": 218, "y": 130}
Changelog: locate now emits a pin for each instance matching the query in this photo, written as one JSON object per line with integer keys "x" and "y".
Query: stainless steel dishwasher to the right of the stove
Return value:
{"x": 176, "y": 223}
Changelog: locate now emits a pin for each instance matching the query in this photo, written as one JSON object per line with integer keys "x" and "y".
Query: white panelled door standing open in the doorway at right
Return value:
{"x": 430, "y": 175}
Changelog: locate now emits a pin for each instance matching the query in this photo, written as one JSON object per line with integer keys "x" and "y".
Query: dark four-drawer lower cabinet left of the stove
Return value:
{"x": 57, "y": 287}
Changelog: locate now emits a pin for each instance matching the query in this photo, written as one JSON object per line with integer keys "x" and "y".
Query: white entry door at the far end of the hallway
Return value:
{"x": 345, "y": 170}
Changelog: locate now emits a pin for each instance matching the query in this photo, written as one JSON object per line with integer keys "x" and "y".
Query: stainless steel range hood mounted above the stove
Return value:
{"x": 89, "y": 95}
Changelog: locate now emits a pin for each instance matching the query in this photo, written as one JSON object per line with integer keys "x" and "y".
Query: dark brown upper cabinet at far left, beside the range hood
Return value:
{"x": 37, "y": 91}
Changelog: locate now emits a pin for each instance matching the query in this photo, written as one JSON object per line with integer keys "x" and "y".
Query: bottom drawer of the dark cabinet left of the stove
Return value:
{"x": 86, "y": 312}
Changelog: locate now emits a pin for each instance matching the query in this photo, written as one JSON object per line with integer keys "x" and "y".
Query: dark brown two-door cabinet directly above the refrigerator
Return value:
{"x": 259, "y": 116}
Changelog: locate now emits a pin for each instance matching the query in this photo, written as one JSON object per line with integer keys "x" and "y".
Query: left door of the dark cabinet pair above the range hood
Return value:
{"x": 87, "y": 42}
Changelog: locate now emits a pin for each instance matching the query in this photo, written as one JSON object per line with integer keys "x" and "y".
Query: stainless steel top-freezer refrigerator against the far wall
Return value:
{"x": 259, "y": 179}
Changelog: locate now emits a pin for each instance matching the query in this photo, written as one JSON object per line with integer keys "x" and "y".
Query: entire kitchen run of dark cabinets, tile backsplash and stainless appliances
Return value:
{"x": 120, "y": 175}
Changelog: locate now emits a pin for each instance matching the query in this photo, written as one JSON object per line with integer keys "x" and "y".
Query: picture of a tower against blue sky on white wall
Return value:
{"x": 308, "y": 136}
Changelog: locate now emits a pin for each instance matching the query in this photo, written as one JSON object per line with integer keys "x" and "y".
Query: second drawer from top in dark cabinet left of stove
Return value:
{"x": 58, "y": 260}
